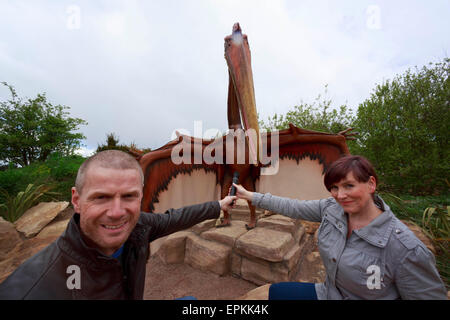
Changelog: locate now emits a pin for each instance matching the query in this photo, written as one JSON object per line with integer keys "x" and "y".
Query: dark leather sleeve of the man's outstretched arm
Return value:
{"x": 174, "y": 220}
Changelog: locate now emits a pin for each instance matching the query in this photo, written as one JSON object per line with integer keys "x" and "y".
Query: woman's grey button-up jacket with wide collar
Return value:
{"x": 383, "y": 260}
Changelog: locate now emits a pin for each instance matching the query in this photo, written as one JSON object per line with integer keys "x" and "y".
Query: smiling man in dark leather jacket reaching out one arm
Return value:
{"x": 104, "y": 250}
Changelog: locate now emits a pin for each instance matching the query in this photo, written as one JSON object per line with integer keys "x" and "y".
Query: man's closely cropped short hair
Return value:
{"x": 111, "y": 159}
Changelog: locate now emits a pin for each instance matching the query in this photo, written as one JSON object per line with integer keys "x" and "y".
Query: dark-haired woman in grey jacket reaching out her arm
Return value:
{"x": 367, "y": 252}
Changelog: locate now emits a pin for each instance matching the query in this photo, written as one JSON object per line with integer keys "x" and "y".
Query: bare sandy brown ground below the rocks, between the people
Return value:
{"x": 168, "y": 282}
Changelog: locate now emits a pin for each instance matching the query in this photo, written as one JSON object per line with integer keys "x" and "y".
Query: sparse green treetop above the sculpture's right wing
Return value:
{"x": 318, "y": 116}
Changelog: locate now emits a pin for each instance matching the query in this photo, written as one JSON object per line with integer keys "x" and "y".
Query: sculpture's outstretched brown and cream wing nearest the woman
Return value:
{"x": 303, "y": 157}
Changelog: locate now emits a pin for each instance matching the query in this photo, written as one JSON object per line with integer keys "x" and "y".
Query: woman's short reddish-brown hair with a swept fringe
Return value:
{"x": 361, "y": 167}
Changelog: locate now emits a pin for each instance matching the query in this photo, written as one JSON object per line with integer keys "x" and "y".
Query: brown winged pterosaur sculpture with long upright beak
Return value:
{"x": 300, "y": 156}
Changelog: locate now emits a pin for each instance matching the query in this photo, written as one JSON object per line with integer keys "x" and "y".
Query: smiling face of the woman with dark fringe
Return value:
{"x": 353, "y": 196}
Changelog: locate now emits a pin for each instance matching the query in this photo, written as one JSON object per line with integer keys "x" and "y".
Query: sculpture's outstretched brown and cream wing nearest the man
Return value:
{"x": 169, "y": 182}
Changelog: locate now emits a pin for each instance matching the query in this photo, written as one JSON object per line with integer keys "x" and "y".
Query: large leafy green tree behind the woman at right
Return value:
{"x": 404, "y": 129}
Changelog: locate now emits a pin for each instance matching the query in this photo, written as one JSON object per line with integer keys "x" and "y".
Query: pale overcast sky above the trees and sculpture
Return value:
{"x": 142, "y": 69}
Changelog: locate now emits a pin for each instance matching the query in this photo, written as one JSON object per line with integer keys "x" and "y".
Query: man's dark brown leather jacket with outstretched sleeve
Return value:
{"x": 50, "y": 273}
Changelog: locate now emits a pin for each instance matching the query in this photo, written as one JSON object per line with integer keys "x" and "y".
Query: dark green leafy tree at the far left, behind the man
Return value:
{"x": 31, "y": 130}
